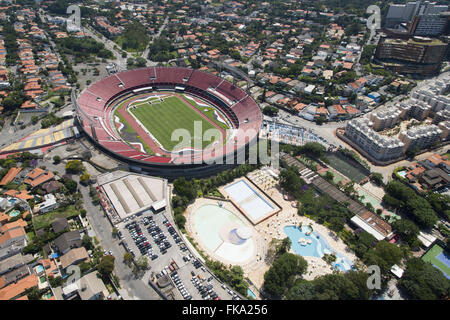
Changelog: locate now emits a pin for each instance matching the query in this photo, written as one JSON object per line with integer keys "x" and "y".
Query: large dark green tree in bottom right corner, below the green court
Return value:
{"x": 424, "y": 282}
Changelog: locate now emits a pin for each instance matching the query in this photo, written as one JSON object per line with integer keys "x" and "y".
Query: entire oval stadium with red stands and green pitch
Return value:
{"x": 169, "y": 121}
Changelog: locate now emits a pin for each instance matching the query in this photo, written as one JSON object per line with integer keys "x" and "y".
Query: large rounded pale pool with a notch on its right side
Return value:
{"x": 211, "y": 223}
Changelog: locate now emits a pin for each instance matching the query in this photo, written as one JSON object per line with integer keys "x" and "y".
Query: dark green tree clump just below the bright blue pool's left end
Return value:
{"x": 282, "y": 273}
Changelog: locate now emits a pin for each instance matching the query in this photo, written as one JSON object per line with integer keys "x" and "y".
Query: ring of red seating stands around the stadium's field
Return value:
{"x": 96, "y": 103}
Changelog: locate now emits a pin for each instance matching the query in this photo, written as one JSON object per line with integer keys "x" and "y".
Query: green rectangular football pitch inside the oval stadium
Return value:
{"x": 161, "y": 119}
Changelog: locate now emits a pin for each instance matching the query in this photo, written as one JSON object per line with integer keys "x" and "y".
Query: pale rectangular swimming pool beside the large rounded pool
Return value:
{"x": 249, "y": 200}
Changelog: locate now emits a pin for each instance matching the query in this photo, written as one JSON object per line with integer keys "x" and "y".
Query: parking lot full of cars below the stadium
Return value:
{"x": 154, "y": 236}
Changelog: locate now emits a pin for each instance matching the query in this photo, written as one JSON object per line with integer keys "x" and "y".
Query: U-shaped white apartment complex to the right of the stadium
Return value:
{"x": 428, "y": 100}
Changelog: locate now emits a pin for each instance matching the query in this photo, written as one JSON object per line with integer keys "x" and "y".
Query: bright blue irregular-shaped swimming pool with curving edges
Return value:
{"x": 318, "y": 248}
